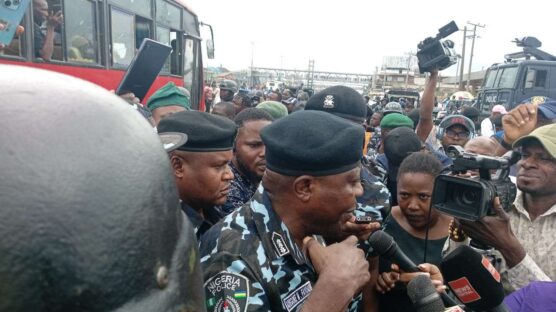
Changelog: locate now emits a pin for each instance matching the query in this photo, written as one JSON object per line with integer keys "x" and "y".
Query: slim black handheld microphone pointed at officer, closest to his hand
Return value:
{"x": 384, "y": 245}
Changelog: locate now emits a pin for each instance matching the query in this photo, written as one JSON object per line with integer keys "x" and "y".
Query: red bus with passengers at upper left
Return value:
{"x": 97, "y": 39}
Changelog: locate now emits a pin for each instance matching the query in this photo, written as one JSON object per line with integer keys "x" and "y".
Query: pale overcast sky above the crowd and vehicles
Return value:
{"x": 354, "y": 35}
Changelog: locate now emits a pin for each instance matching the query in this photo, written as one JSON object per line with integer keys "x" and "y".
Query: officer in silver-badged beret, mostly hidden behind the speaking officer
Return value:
{"x": 347, "y": 103}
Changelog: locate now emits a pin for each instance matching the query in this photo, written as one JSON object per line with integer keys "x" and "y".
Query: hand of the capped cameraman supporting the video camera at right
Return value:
{"x": 496, "y": 231}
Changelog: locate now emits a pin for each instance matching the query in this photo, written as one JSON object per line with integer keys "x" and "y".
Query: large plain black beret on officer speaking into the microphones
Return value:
{"x": 313, "y": 143}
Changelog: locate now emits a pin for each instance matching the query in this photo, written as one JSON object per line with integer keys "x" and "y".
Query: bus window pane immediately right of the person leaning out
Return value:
{"x": 81, "y": 43}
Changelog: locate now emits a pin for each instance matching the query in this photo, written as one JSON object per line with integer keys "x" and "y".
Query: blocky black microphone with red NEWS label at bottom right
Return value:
{"x": 473, "y": 280}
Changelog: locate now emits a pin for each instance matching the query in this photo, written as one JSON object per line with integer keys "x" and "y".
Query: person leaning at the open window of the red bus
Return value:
{"x": 44, "y": 42}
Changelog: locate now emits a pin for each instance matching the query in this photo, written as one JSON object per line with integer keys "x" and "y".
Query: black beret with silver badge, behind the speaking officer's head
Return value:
{"x": 341, "y": 101}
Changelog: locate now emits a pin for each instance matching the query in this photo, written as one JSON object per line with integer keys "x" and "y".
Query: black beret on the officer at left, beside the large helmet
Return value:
{"x": 205, "y": 132}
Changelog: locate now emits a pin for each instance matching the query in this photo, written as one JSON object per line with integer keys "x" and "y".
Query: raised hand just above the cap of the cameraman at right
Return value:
{"x": 520, "y": 121}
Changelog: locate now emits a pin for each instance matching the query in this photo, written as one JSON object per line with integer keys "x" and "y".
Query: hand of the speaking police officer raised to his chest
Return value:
{"x": 342, "y": 264}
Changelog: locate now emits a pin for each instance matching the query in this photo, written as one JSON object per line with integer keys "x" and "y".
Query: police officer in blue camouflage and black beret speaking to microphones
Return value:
{"x": 253, "y": 260}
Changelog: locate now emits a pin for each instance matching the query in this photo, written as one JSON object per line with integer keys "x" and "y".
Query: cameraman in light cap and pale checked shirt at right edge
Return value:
{"x": 525, "y": 234}
